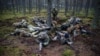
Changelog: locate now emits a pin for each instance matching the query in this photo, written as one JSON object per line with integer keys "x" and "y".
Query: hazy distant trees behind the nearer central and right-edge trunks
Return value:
{"x": 27, "y": 6}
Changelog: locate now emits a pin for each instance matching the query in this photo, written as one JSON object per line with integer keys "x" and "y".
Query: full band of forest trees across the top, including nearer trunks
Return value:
{"x": 75, "y": 6}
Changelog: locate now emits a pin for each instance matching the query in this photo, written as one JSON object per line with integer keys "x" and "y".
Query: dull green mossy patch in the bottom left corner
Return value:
{"x": 9, "y": 51}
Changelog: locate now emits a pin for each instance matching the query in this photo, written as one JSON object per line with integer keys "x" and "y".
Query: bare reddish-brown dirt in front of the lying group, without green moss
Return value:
{"x": 28, "y": 47}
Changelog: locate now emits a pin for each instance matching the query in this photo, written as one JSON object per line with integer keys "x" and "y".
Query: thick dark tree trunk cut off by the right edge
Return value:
{"x": 96, "y": 19}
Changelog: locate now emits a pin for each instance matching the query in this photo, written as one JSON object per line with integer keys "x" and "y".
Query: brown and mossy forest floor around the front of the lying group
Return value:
{"x": 15, "y": 46}
